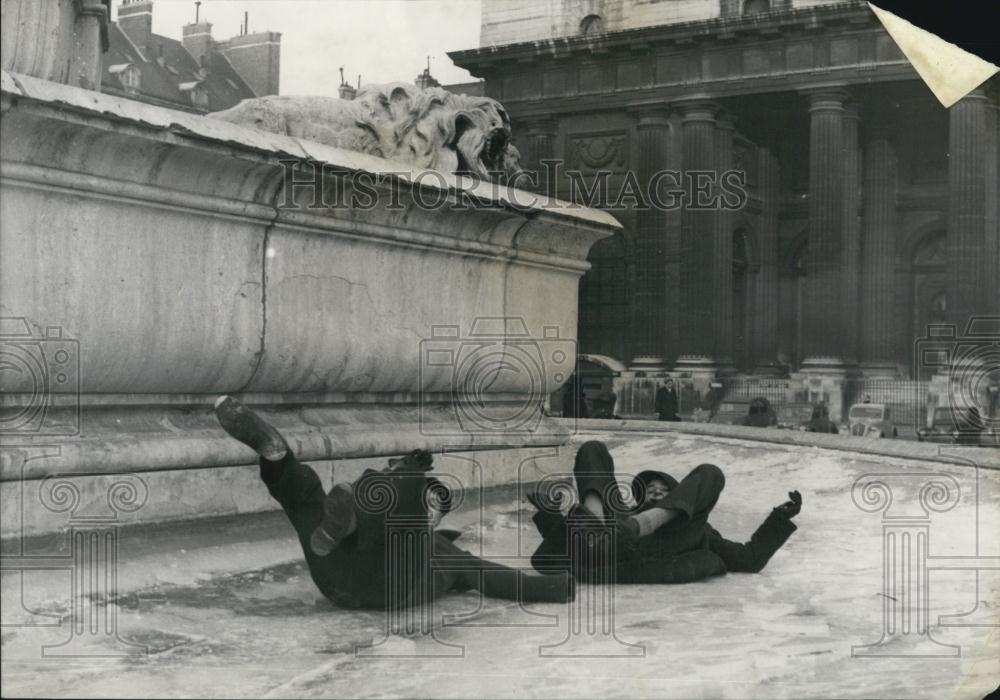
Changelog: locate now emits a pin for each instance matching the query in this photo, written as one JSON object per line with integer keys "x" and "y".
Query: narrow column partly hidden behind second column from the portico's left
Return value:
{"x": 722, "y": 253}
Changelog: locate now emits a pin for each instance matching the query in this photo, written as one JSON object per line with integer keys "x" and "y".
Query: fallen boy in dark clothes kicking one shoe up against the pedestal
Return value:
{"x": 372, "y": 544}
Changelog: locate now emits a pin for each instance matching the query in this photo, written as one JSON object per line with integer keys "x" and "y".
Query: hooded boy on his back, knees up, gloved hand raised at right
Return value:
{"x": 665, "y": 538}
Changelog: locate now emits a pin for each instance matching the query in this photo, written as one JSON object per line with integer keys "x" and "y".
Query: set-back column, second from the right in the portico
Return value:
{"x": 878, "y": 259}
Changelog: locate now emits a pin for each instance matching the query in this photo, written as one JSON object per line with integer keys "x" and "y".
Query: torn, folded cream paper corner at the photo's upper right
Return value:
{"x": 949, "y": 71}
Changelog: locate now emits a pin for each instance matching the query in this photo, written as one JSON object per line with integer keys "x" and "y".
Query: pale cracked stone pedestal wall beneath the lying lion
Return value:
{"x": 173, "y": 254}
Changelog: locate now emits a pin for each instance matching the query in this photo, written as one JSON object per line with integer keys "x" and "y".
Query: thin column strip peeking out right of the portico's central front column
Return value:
{"x": 852, "y": 233}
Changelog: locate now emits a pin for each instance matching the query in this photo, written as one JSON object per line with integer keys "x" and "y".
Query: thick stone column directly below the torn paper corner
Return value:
{"x": 972, "y": 182}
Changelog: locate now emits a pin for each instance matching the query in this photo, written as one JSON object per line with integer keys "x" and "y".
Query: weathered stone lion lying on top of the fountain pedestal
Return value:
{"x": 430, "y": 128}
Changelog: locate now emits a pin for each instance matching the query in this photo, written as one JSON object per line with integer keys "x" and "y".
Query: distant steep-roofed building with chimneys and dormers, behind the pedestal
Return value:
{"x": 196, "y": 74}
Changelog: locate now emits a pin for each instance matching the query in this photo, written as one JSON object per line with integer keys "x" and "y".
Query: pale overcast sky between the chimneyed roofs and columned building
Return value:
{"x": 383, "y": 40}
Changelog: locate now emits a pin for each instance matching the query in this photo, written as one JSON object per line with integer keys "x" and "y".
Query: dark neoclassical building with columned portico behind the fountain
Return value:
{"x": 872, "y": 209}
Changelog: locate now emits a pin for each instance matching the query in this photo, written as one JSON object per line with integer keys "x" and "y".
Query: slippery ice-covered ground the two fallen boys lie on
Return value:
{"x": 785, "y": 633}
